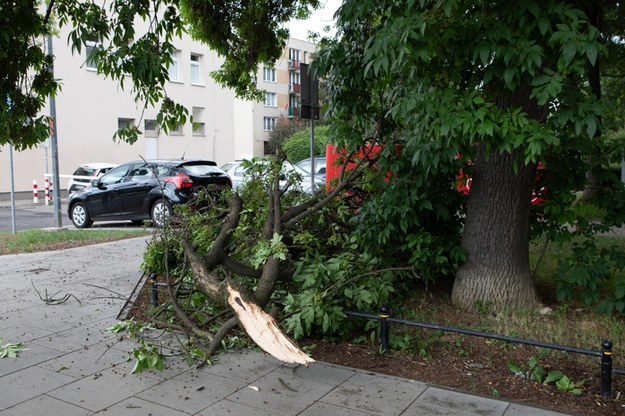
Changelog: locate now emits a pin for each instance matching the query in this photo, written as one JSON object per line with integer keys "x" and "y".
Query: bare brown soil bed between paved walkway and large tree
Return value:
{"x": 468, "y": 363}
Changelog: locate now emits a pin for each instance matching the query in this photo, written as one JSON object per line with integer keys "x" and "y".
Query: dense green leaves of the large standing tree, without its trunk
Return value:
{"x": 514, "y": 78}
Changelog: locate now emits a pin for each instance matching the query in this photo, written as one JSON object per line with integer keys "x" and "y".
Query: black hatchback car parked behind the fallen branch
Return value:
{"x": 142, "y": 190}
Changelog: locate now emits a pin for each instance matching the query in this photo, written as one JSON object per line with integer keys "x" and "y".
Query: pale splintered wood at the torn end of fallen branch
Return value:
{"x": 264, "y": 330}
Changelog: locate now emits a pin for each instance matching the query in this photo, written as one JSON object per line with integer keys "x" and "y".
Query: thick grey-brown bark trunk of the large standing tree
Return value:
{"x": 496, "y": 236}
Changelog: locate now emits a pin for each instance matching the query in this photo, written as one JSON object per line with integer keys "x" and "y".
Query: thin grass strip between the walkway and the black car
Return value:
{"x": 30, "y": 241}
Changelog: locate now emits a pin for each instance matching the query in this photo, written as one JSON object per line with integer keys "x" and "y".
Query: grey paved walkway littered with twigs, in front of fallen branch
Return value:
{"x": 74, "y": 367}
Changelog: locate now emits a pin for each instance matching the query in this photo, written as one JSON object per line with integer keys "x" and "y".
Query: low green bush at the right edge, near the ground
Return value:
{"x": 595, "y": 274}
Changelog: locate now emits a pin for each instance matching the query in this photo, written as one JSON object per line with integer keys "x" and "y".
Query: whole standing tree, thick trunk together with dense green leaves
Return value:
{"x": 500, "y": 86}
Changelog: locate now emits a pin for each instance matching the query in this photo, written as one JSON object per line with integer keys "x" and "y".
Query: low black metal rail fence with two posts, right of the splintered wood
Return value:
{"x": 605, "y": 354}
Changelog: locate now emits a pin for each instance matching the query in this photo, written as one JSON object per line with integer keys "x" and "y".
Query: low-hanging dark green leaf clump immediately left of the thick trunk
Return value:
{"x": 413, "y": 219}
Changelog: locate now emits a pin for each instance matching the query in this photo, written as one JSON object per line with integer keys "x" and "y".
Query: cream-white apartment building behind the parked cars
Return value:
{"x": 90, "y": 108}
